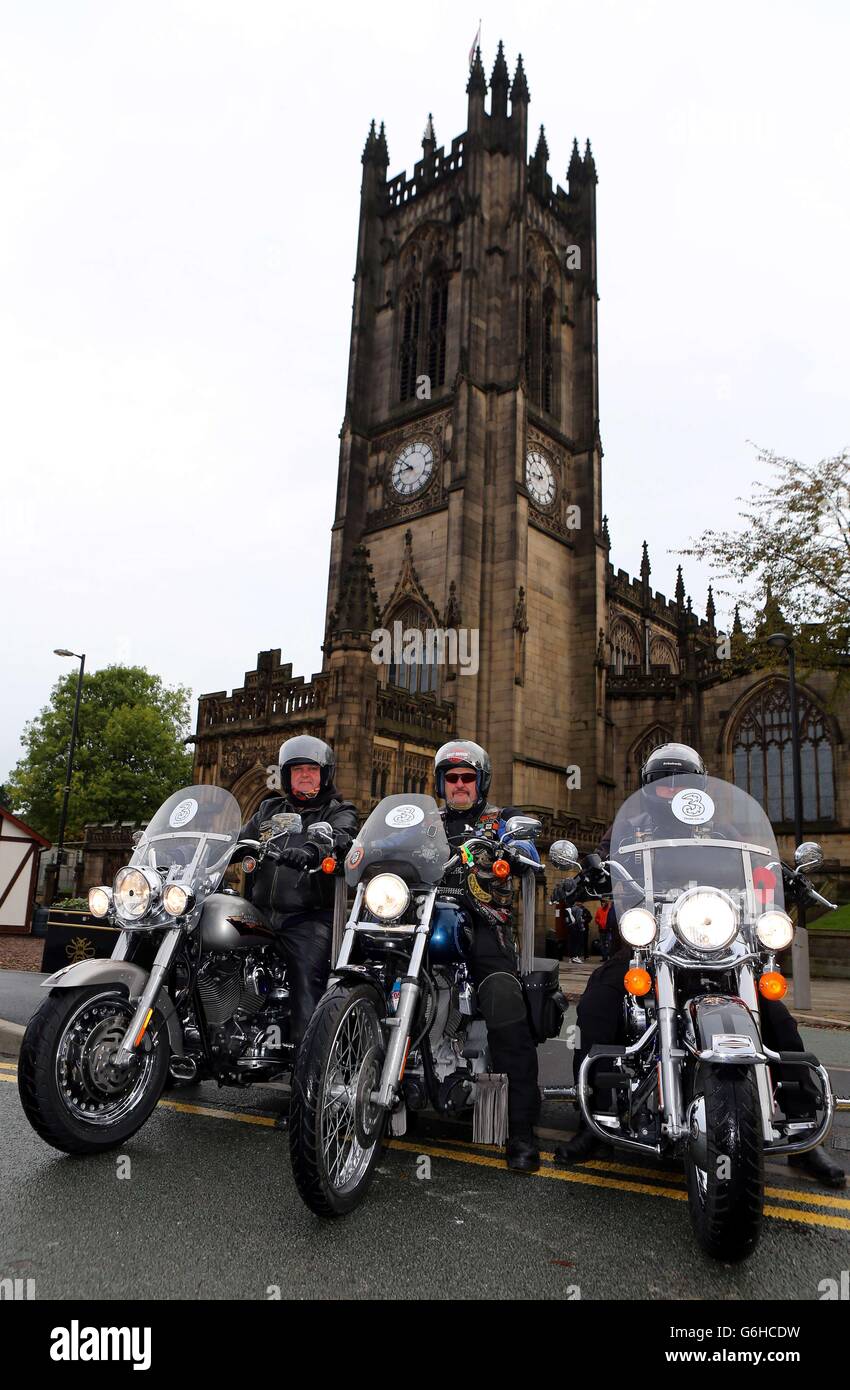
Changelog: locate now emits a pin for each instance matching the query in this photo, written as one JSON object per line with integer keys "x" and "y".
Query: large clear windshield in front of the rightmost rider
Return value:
{"x": 694, "y": 832}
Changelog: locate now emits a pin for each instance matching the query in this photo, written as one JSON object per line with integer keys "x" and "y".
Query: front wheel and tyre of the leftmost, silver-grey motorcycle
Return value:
{"x": 72, "y": 1092}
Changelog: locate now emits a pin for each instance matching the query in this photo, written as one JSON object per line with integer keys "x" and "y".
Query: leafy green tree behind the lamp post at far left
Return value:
{"x": 130, "y": 751}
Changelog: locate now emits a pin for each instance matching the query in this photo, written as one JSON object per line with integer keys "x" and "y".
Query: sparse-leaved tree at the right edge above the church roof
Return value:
{"x": 792, "y": 554}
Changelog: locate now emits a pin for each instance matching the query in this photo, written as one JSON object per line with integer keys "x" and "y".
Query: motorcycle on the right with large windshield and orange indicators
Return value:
{"x": 703, "y": 911}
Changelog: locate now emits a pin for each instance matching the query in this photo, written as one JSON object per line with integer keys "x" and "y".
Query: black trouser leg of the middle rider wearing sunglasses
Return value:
{"x": 513, "y": 1049}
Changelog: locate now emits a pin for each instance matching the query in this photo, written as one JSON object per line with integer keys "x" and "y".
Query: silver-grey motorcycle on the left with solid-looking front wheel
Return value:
{"x": 194, "y": 990}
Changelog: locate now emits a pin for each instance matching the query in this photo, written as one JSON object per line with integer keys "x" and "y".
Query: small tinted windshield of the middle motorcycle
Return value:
{"x": 406, "y": 836}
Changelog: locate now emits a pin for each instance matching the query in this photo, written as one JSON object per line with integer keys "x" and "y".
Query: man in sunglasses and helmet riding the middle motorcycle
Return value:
{"x": 463, "y": 779}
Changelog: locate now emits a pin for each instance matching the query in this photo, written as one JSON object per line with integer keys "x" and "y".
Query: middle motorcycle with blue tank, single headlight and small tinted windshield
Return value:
{"x": 398, "y": 1029}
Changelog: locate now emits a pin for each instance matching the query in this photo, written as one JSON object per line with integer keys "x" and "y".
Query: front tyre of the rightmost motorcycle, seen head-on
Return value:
{"x": 726, "y": 1161}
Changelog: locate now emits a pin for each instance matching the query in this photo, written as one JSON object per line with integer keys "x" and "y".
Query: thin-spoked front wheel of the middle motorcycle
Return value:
{"x": 335, "y": 1129}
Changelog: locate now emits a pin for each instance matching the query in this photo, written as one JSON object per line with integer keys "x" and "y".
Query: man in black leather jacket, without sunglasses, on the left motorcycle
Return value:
{"x": 297, "y": 900}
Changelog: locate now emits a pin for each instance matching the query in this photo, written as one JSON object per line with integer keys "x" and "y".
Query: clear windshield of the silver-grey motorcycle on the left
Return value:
{"x": 192, "y": 837}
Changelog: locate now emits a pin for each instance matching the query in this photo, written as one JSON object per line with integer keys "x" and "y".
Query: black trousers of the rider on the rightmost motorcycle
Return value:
{"x": 601, "y": 1020}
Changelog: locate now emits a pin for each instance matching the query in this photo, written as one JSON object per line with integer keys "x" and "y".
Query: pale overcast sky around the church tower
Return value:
{"x": 181, "y": 191}
